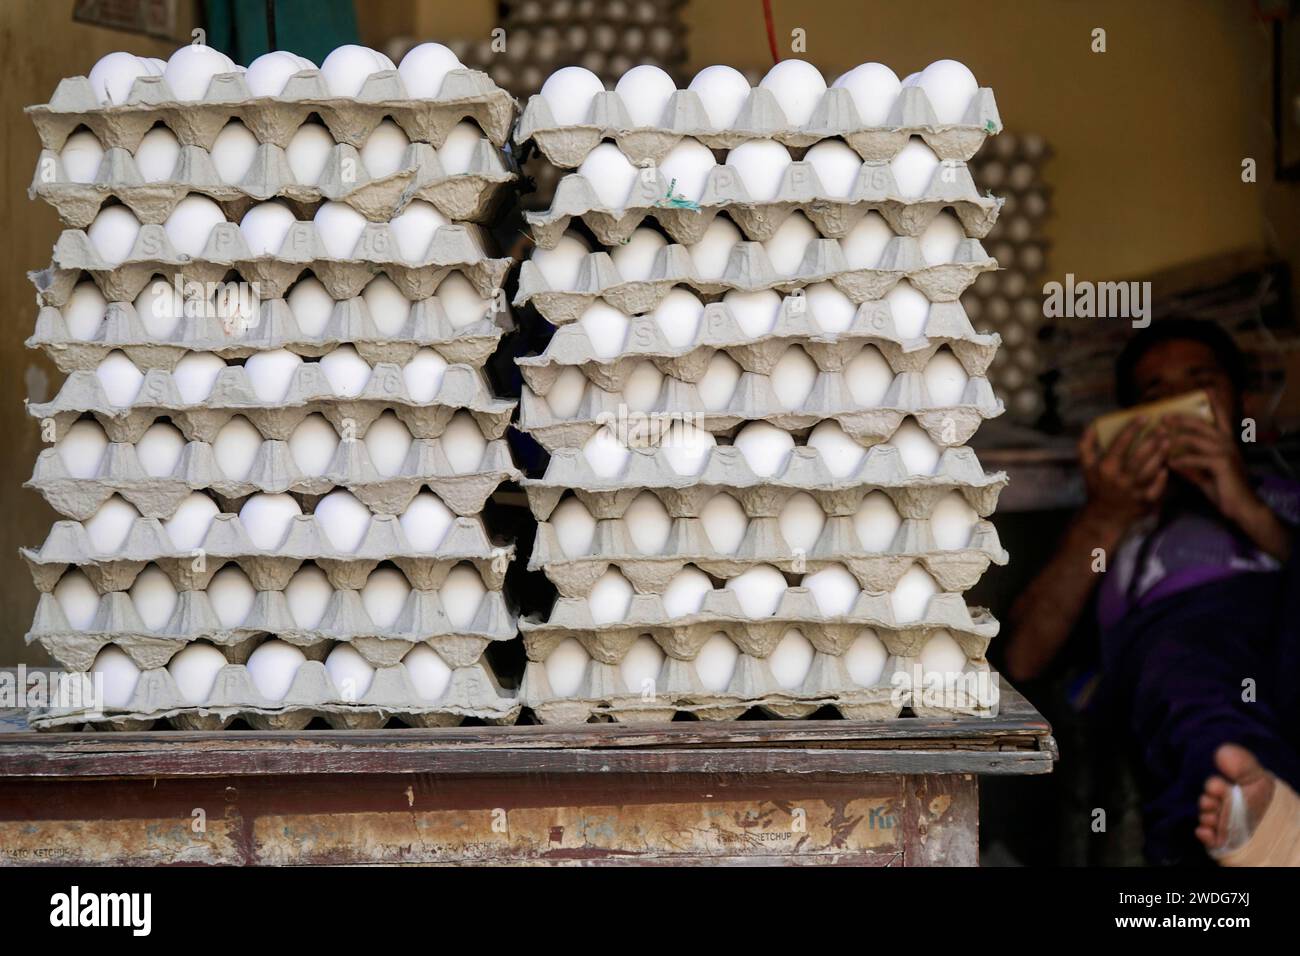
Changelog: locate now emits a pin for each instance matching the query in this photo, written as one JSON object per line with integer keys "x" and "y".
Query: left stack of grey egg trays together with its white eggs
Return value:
{"x": 271, "y": 509}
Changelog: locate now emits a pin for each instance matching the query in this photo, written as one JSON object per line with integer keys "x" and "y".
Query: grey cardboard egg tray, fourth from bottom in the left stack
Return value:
{"x": 274, "y": 471}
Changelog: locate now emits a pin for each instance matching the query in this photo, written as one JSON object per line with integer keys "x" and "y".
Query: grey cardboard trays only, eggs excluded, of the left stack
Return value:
{"x": 474, "y": 690}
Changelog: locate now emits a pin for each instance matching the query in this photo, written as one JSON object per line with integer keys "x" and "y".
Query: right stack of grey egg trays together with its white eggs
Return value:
{"x": 778, "y": 514}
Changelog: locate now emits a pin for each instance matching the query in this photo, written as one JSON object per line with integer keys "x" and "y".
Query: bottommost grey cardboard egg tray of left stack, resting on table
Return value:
{"x": 474, "y": 693}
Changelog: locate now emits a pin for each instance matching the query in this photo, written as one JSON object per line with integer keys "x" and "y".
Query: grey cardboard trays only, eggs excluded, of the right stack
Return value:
{"x": 604, "y": 694}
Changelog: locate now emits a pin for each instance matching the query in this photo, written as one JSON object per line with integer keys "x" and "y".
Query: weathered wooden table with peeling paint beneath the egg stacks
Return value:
{"x": 760, "y": 793}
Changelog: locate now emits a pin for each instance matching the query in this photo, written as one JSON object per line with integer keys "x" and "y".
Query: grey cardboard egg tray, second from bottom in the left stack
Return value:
{"x": 423, "y": 621}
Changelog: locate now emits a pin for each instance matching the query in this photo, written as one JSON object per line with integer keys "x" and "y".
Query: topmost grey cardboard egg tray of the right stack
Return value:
{"x": 761, "y": 118}
